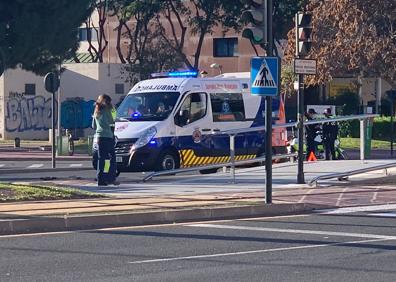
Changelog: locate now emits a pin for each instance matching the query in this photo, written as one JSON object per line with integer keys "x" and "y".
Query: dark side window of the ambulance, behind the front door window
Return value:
{"x": 227, "y": 107}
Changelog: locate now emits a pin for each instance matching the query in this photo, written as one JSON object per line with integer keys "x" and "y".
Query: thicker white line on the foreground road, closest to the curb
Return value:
{"x": 295, "y": 231}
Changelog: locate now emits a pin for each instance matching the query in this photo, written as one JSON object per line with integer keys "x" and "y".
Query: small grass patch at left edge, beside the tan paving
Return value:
{"x": 20, "y": 192}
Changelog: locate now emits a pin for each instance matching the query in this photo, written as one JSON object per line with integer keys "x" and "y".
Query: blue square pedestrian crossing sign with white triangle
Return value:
{"x": 264, "y": 76}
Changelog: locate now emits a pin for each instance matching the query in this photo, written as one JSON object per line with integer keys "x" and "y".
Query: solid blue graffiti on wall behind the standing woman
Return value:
{"x": 76, "y": 113}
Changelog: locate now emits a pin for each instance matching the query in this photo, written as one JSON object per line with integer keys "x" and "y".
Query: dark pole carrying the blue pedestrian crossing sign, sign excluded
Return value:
{"x": 268, "y": 112}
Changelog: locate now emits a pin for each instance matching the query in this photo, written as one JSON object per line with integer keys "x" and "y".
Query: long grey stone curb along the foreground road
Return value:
{"x": 84, "y": 222}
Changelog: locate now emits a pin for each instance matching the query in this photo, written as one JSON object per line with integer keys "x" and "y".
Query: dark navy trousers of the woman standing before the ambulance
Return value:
{"x": 106, "y": 152}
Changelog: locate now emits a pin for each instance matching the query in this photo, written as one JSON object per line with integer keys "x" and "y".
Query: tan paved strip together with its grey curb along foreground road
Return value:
{"x": 51, "y": 216}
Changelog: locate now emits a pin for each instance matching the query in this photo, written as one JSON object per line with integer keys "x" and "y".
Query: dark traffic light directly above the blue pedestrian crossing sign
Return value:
{"x": 256, "y": 16}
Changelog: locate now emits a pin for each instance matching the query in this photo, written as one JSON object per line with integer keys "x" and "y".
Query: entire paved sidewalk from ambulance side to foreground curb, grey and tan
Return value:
{"x": 184, "y": 198}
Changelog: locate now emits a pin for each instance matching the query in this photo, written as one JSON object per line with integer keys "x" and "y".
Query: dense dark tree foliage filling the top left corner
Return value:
{"x": 38, "y": 34}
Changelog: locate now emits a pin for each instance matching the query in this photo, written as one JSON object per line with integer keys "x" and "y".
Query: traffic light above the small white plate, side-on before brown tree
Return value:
{"x": 303, "y": 33}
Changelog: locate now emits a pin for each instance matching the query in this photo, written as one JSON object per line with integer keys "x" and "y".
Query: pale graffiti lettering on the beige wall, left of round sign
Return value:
{"x": 23, "y": 114}
